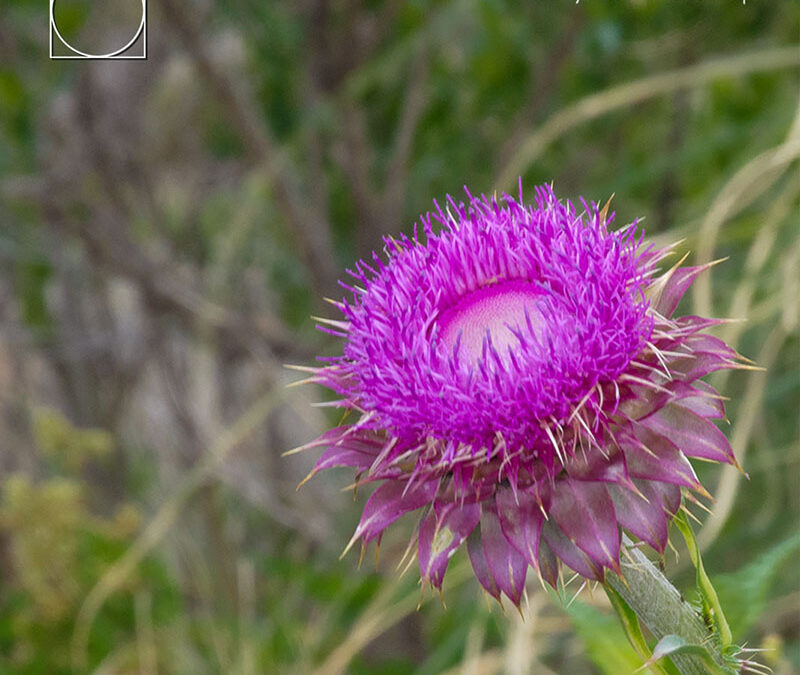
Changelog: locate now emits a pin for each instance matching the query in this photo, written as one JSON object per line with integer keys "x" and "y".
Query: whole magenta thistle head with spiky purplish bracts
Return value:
{"x": 519, "y": 380}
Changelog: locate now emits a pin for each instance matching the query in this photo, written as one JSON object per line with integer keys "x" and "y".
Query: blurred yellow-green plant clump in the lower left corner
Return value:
{"x": 58, "y": 550}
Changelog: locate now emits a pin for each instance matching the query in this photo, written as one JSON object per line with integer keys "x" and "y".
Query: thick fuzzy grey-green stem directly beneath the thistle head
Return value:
{"x": 661, "y": 608}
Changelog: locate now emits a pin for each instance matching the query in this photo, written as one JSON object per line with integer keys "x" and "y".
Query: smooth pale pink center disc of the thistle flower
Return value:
{"x": 496, "y": 310}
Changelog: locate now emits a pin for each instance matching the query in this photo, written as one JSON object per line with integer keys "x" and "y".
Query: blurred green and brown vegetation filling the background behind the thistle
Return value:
{"x": 168, "y": 226}
